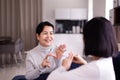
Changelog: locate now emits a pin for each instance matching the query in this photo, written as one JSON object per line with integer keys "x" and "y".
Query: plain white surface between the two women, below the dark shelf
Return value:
{"x": 74, "y": 42}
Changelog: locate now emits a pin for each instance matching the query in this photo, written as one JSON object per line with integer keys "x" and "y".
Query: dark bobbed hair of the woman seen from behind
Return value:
{"x": 99, "y": 38}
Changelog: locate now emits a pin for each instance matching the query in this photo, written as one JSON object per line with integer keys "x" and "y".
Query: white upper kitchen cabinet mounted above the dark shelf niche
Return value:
{"x": 71, "y": 14}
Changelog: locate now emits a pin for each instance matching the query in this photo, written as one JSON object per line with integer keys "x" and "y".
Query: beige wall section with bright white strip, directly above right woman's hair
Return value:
{"x": 102, "y": 8}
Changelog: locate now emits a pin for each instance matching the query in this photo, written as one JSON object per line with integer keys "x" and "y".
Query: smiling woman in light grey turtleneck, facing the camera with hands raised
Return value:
{"x": 39, "y": 60}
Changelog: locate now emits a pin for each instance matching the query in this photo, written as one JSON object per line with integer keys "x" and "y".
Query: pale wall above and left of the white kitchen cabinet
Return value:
{"x": 50, "y": 5}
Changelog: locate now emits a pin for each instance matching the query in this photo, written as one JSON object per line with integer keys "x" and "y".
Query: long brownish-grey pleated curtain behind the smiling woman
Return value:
{"x": 19, "y": 18}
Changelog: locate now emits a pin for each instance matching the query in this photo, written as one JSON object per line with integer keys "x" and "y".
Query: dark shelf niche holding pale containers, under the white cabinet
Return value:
{"x": 70, "y": 26}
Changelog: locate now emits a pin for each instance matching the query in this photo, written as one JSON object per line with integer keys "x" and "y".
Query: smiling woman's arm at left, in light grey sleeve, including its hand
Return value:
{"x": 32, "y": 71}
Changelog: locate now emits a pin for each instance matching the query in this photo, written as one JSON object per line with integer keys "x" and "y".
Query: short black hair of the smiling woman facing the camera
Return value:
{"x": 41, "y": 26}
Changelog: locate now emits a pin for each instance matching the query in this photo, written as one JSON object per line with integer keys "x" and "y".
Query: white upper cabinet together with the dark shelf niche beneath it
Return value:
{"x": 70, "y": 20}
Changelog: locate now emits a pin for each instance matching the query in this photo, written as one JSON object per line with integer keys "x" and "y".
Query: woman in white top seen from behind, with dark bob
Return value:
{"x": 99, "y": 43}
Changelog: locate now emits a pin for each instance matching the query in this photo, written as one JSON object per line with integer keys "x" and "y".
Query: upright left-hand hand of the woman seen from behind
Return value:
{"x": 67, "y": 61}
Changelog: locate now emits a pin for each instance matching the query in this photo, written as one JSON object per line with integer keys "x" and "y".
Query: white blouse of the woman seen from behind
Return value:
{"x": 101, "y": 69}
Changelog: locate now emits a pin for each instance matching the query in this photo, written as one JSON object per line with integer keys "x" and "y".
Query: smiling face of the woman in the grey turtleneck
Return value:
{"x": 46, "y": 36}
